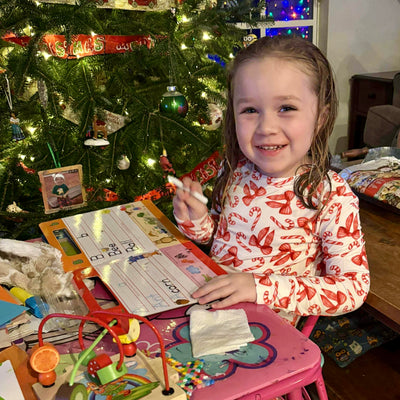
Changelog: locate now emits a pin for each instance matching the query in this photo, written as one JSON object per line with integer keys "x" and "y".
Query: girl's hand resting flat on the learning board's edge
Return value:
{"x": 227, "y": 290}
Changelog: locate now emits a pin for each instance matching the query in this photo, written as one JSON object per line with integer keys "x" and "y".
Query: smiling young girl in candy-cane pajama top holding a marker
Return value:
{"x": 284, "y": 226}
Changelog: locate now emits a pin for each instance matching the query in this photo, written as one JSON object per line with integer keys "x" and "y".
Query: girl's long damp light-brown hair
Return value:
{"x": 313, "y": 63}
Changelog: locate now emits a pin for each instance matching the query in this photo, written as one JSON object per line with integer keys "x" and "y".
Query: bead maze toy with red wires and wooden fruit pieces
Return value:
{"x": 103, "y": 372}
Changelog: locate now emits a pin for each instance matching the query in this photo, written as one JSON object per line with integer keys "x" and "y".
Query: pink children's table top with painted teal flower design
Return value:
{"x": 279, "y": 353}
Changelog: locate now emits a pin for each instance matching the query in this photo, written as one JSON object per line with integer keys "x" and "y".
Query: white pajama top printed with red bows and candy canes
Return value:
{"x": 303, "y": 264}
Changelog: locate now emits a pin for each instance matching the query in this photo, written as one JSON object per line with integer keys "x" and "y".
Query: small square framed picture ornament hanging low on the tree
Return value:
{"x": 62, "y": 188}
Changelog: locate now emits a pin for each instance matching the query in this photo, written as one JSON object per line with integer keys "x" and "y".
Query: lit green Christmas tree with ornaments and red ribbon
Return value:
{"x": 61, "y": 68}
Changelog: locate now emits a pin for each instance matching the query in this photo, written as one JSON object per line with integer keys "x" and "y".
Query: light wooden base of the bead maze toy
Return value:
{"x": 152, "y": 367}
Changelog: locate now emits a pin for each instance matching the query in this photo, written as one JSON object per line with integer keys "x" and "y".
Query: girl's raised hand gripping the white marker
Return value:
{"x": 186, "y": 207}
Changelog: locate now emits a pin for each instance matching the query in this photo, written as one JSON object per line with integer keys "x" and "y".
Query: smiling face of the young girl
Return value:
{"x": 275, "y": 114}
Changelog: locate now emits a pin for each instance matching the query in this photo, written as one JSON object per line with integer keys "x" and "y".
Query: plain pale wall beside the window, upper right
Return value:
{"x": 359, "y": 36}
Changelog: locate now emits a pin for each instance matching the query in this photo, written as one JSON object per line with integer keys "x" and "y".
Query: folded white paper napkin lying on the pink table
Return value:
{"x": 215, "y": 332}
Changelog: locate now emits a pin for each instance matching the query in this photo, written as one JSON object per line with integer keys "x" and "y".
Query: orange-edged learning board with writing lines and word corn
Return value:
{"x": 141, "y": 257}
